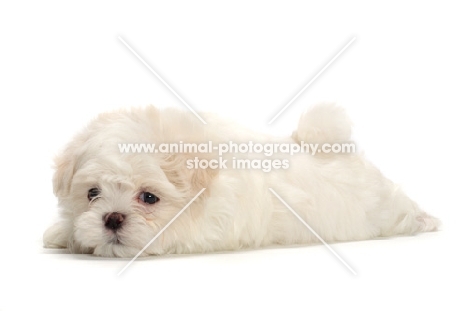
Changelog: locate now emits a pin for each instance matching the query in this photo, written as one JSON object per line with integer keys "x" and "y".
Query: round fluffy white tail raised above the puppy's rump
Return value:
{"x": 324, "y": 123}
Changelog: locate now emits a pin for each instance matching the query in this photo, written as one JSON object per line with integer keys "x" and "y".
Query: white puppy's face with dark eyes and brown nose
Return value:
{"x": 119, "y": 203}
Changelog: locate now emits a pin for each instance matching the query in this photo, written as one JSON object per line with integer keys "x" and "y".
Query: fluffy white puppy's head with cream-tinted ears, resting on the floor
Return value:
{"x": 112, "y": 202}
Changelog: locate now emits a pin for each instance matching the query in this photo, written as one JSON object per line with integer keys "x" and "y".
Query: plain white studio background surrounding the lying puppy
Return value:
{"x": 403, "y": 81}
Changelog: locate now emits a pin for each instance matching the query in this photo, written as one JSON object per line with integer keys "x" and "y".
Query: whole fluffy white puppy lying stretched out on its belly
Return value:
{"x": 113, "y": 203}
